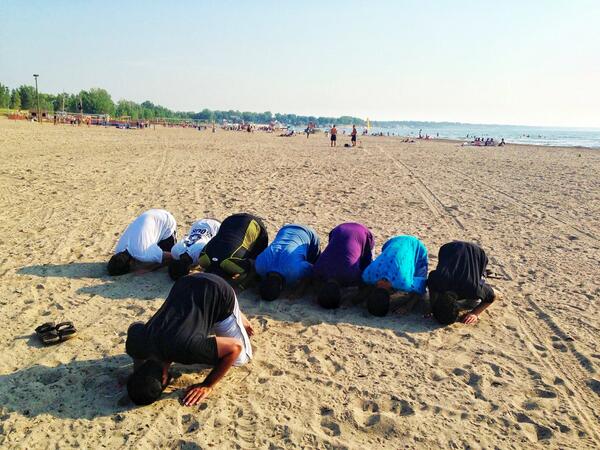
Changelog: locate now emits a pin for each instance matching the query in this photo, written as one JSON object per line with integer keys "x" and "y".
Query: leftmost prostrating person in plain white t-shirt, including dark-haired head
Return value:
{"x": 146, "y": 243}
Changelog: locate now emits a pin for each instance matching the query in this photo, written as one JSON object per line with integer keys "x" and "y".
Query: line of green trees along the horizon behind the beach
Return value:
{"x": 99, "y": 101}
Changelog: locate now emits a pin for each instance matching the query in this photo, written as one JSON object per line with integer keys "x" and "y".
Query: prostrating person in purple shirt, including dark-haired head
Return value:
{"x": 341, "y": 264}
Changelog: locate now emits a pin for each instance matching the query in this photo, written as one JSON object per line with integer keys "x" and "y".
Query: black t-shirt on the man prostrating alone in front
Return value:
{"x": 179, "y": 331}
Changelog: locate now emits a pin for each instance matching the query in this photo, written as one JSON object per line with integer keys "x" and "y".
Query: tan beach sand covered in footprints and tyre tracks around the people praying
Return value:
{"x": 525, "y": 376}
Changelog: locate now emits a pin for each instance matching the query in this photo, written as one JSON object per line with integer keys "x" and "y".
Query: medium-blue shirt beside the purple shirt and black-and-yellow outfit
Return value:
{"x": 291, "y": 254}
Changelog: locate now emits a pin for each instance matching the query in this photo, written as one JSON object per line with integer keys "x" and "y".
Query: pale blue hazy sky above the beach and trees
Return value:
{"x": 526, "y": 62}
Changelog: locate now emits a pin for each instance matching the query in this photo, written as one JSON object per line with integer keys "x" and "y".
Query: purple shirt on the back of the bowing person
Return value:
{"x": 347, "y": 254}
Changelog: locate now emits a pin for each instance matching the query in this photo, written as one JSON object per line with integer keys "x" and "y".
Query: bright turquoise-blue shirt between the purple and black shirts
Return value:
{"x": 403, "y": 262}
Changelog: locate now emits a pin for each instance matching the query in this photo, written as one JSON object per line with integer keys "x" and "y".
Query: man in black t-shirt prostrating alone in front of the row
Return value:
{"x": 200, "y": 322}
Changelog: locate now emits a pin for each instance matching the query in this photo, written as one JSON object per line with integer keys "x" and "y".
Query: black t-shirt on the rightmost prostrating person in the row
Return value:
{"x": 460, "y": 269}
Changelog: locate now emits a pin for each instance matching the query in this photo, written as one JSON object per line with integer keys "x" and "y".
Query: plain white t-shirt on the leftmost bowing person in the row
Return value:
{"x": 141, "y": 237}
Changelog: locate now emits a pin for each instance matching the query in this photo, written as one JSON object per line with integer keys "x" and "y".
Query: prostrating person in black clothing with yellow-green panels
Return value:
{"x": 232, "y": 251}
